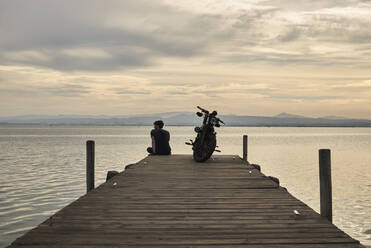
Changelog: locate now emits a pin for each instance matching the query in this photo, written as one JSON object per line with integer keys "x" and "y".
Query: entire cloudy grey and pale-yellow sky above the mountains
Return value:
{"x": 248, "y": 57}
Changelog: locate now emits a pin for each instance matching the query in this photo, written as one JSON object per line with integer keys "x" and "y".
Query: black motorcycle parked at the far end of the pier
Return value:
{"x": 205, "y": 143}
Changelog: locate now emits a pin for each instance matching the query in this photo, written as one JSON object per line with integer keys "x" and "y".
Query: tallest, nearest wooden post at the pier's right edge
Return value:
{"x": 325, "y": 183}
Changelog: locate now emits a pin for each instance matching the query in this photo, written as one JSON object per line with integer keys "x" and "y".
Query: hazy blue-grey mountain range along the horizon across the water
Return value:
{"x": 187, "y": 119}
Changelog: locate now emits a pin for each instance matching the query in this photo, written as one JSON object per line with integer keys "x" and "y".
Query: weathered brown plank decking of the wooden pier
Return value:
{"x": 171, "y": 201}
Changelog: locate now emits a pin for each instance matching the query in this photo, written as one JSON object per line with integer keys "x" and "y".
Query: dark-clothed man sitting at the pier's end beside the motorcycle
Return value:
{"x": 160, "y": 140}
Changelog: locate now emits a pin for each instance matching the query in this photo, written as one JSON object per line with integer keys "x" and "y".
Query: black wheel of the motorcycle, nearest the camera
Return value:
{"x": 202, "y": 152}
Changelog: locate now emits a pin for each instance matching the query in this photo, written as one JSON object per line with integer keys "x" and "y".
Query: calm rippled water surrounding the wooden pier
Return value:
{"x": 42, "y": 168}
